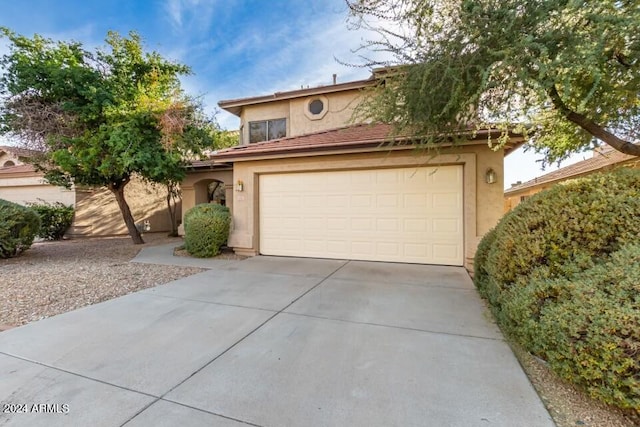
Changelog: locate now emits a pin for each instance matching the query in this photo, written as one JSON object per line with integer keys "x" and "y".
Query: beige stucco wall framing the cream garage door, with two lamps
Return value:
{"x": 483, "y": 203}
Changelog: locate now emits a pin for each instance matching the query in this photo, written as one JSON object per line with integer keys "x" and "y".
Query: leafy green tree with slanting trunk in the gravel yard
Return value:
{"x": 102, "y": 117}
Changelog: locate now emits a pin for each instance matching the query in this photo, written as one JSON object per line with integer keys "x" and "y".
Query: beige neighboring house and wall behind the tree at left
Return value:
{"x": 96, "y": 210}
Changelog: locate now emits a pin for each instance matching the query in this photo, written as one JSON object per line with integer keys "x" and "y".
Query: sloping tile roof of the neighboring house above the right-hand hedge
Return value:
{"x": 601, "y": 159}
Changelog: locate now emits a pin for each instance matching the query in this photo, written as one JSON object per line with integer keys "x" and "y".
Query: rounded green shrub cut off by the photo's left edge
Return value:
{"x": 19, "y": 225}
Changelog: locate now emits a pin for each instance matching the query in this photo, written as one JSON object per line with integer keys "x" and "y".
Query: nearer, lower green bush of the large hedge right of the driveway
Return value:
{"x": 586, "y": 326}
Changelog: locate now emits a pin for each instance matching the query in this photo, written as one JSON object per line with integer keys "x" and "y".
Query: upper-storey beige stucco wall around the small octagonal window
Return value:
{"x": 339, "y": 109}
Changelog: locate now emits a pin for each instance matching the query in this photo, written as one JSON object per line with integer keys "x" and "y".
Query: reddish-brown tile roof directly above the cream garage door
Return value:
{"x": 355, "y": 136}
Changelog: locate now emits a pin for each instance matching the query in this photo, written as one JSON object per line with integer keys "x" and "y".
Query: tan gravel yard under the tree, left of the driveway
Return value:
{"x": 55, "y": 277}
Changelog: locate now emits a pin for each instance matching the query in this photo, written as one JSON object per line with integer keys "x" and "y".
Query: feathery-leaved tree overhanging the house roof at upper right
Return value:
{"x": 568, "y": 69}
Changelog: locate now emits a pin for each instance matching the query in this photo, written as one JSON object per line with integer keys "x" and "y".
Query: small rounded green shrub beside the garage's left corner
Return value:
{"x": 206, "y": 229}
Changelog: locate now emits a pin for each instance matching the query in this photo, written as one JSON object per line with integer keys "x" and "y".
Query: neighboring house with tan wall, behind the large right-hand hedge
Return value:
{"x": 604, "y": 158}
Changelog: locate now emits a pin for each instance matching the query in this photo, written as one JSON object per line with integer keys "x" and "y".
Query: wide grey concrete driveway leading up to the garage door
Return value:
{"x": 273, "y": 342}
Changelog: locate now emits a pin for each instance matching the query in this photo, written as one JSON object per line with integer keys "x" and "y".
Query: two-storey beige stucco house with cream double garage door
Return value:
{"x": 304, "y": 182}
